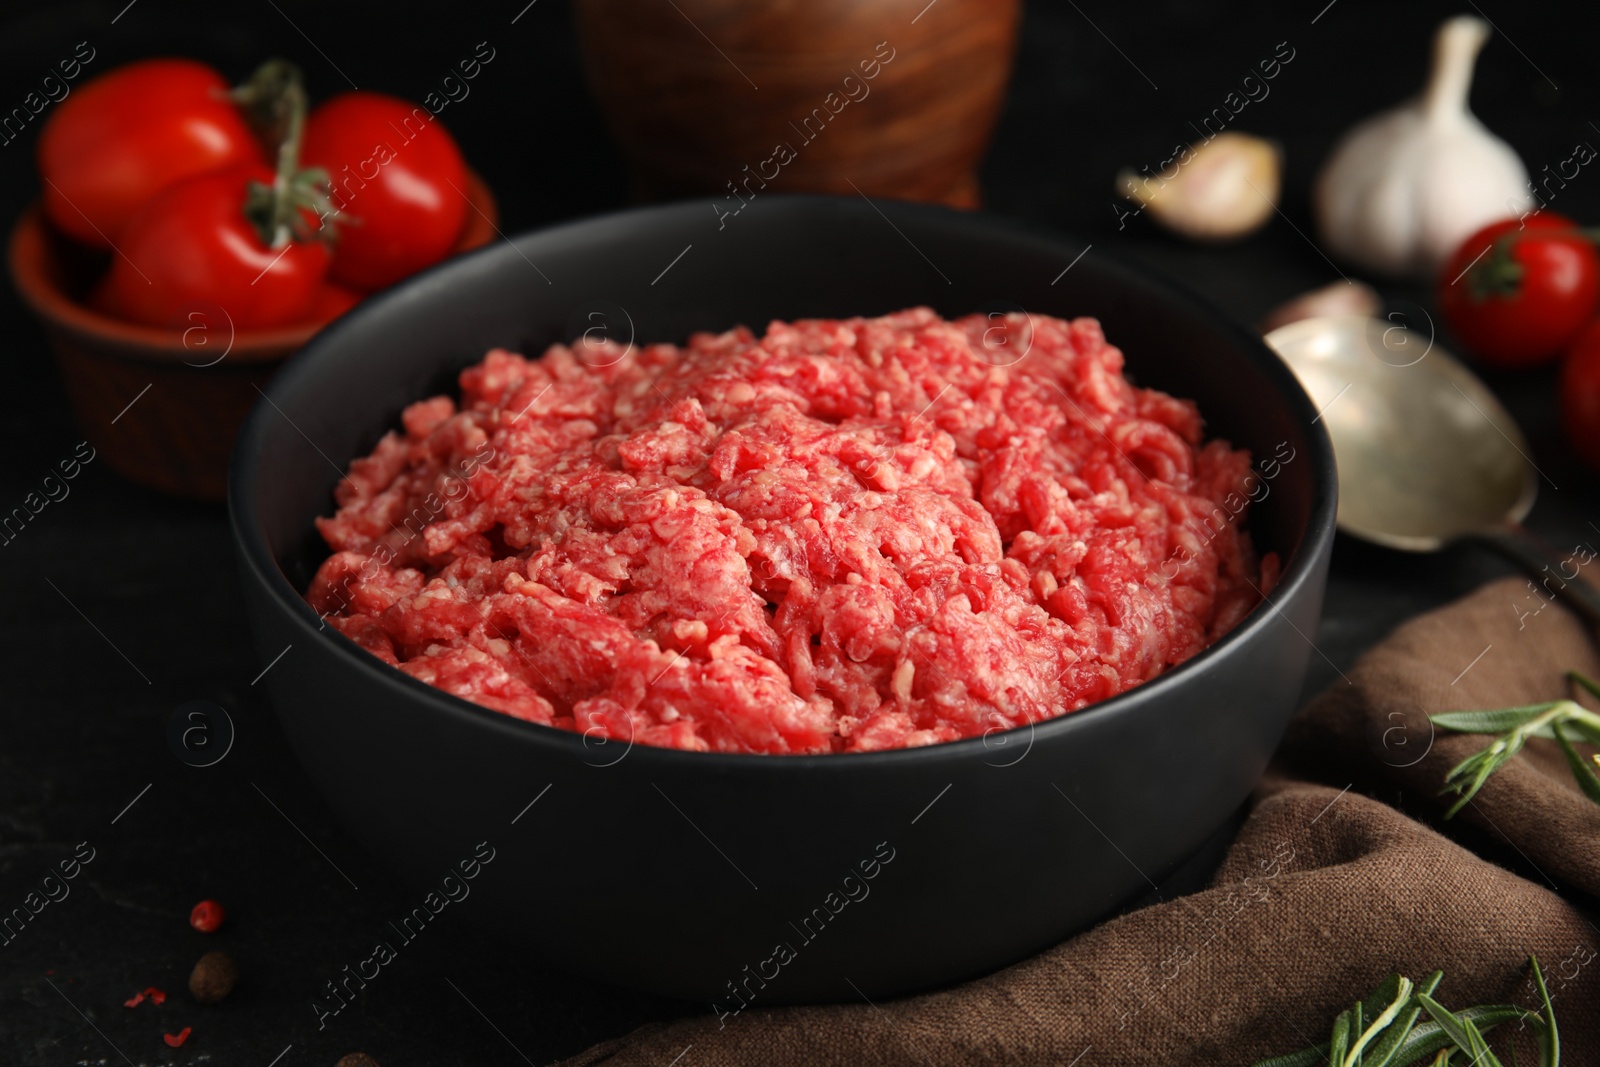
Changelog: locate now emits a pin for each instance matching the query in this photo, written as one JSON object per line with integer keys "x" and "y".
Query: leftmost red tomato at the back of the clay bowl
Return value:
{"x": 126, "y": 137}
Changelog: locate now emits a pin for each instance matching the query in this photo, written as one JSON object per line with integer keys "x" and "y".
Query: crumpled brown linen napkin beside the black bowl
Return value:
{"x": 1324, "y": 893}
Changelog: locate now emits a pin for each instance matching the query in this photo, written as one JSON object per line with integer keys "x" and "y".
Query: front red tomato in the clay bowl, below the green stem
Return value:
{"x": 194, "y": 249}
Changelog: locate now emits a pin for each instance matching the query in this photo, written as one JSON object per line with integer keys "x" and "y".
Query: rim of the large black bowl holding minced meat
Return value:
{"x": 252, "y": 546}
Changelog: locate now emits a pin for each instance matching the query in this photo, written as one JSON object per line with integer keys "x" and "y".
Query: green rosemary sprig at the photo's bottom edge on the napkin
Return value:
{"x": 1396, "y": 1037}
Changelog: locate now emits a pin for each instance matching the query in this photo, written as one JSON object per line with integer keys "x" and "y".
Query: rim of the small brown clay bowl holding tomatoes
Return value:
{"x": 156, "y": 345}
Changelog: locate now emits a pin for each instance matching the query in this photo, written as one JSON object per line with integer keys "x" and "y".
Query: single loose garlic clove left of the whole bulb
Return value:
{"x": 1223, "y": 188}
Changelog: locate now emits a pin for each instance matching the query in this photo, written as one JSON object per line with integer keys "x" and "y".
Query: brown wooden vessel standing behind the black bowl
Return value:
{"x": 705, "y": 95}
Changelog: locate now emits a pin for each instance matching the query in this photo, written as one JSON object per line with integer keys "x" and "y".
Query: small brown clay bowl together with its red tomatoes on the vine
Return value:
{"x": 172, "y": 278}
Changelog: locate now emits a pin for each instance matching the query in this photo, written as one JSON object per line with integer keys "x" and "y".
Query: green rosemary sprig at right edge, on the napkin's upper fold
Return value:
{"x": 1554, "y": 721}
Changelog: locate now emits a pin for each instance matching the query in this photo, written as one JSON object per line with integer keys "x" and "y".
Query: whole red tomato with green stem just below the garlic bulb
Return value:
{"x": 1518, "y": 294}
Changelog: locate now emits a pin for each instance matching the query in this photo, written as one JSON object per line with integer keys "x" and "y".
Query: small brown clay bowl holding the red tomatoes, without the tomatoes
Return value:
{"x": 162, "y": 406}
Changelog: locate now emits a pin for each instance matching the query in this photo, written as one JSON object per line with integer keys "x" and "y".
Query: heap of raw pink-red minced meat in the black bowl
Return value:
{"x": 841, "y": 537}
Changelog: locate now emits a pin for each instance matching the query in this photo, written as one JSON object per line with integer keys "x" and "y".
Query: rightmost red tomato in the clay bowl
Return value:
{"x": 398, "y": 180}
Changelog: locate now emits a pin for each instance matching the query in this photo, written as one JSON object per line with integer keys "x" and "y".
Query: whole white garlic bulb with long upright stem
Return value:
{"x": 1406, "y": 188}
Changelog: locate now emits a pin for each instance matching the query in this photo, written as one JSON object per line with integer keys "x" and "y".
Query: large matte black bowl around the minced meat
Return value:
{"x": 738, "y": 876}
